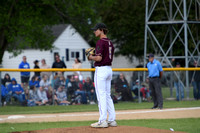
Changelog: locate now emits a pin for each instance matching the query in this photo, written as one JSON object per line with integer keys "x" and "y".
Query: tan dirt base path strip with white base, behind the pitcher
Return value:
{"x": 172, "y": 113}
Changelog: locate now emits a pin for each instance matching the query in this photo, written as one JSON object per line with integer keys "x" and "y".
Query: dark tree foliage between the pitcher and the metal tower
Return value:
{"x": 125, "y": 20}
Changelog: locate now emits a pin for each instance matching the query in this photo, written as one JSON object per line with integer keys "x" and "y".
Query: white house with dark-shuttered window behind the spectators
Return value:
{"x": 69, "y": 44}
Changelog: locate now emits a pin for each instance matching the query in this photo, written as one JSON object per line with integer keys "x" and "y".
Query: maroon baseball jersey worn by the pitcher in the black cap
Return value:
{"x": 104, "y": 48}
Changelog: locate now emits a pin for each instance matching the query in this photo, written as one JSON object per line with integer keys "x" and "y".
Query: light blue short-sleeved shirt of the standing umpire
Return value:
{"x": 154, "y": 68}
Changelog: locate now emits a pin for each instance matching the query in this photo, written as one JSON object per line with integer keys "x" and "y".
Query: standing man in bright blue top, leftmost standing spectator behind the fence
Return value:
{"x": 24, "y": 75}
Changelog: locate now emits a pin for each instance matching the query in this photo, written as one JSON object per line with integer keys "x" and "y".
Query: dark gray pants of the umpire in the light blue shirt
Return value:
{"x": 156, "y": 92}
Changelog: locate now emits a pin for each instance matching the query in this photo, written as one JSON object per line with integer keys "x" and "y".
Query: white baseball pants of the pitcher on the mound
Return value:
{"x": 102, "y": 79}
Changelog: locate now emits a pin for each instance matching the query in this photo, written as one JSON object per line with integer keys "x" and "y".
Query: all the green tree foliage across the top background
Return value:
{"x": 26, "y": 23}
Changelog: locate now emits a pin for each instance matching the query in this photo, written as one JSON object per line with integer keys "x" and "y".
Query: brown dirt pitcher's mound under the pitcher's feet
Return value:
{"x": 87, "y": 129}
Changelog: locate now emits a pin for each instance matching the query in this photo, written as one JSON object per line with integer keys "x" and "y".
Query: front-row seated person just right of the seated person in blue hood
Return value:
{"x": 33, "y": 97}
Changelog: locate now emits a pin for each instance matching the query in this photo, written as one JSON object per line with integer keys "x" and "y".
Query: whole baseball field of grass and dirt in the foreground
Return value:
{"x": 132, "y": 117}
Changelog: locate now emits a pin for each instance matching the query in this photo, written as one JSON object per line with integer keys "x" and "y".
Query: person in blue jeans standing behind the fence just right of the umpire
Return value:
{"x": 178, "y": 82}
